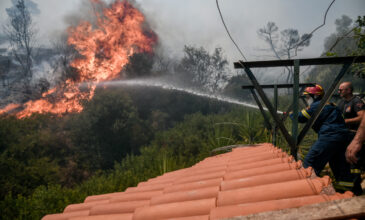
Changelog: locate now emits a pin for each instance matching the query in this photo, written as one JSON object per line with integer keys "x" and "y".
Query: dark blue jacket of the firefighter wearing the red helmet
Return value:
{"x": 330, "y": 120}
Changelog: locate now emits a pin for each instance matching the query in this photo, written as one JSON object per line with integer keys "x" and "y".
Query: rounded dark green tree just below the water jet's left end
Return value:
{"x": 107, "y": 130}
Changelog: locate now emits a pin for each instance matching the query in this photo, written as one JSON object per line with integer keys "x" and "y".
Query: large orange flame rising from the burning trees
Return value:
{"x": 105, "y": 48}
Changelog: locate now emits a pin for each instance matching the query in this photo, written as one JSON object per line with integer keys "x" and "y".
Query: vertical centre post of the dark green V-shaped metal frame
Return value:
{"x": 294, "y": 148}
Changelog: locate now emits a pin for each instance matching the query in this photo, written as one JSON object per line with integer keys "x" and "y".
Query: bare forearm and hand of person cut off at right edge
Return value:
{"x": 356, "y": 144}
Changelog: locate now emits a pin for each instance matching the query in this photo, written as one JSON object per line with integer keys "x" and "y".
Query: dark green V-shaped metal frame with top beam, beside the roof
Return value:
{"x": 294, "y": 140}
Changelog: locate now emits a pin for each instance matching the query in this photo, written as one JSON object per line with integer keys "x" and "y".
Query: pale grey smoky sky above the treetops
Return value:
{"x": 197, "y": 22}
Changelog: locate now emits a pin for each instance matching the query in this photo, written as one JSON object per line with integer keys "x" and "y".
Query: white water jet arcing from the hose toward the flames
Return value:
{"x": 163, "y": 85}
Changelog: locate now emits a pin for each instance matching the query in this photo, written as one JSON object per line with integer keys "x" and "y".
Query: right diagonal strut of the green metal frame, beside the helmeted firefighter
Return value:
{"x": 323, "y": 102}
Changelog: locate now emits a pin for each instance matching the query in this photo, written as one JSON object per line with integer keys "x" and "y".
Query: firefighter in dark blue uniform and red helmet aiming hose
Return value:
{"x": 333, "y": 138}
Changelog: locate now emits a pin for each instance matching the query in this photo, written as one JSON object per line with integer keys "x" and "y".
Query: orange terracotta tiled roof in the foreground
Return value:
{"x": 245, "y": 181}
